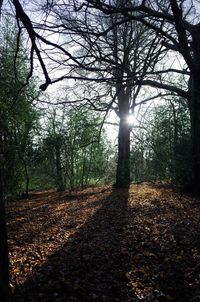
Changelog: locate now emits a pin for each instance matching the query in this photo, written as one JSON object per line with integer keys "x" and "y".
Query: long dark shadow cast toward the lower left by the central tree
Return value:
{"x": 91, "y": 266}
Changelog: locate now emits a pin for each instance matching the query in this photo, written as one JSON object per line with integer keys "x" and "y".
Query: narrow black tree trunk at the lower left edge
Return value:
{"x": 5, "y": 292}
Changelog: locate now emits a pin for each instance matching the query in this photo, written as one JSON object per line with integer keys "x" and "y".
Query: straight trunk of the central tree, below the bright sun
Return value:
{"x": 123, "y": 161}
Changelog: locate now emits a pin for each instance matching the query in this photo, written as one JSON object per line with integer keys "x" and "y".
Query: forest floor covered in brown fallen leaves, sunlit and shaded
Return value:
{"x": 104, "y": 244}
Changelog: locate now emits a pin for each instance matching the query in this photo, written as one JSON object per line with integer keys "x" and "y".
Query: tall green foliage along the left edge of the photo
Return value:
{"x": 17, "y": 116}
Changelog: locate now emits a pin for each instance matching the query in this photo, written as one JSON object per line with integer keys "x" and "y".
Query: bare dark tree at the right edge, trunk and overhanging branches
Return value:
{"x": 177, "y": 22}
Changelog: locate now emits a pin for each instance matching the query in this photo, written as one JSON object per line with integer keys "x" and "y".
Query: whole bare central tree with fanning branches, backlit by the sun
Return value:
{"x": 126, "y": 50}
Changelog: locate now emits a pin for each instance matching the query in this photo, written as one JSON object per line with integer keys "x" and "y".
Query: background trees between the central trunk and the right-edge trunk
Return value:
{"x": 161, "y": 148}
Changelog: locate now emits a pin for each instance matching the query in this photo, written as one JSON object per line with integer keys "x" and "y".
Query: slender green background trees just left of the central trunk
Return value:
{"x": 74, "y": 152}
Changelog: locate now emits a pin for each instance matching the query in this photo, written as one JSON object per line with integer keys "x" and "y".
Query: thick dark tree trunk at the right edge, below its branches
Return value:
{"x": 195, "y": 130}
